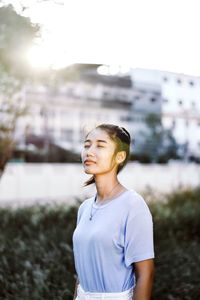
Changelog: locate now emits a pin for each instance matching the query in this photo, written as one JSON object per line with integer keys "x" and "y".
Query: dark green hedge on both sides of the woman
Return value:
{"x": 37, "y": 257}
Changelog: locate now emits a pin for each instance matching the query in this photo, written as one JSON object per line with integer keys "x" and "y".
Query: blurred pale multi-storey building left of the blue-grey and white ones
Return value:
{"x": 65, "y": 113}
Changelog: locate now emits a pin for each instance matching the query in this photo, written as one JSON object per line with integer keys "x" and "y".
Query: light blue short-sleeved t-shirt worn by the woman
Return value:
{"x": 119, "y": 234}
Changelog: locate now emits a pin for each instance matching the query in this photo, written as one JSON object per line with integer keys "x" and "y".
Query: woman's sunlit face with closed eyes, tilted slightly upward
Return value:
{"x": 98, "y": 153}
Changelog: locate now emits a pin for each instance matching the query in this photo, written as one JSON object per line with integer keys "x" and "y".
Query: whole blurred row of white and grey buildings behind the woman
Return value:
{"x": 62, "y": 114}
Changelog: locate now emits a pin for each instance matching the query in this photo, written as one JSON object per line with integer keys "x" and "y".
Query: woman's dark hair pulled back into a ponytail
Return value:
{"x": 122, "y": 139}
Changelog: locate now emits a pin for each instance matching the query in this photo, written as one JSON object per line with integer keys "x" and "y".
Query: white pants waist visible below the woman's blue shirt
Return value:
{"x": 82, "y": 295}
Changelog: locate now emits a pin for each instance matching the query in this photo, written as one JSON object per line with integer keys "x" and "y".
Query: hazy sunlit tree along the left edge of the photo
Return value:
{"x": 16, "y": 35}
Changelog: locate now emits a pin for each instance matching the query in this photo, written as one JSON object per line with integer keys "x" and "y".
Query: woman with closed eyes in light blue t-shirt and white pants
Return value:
{"x": 113, "y": 239}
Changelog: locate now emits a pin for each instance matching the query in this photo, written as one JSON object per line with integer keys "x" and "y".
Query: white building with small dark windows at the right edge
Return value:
{"x": 180, "y": 109}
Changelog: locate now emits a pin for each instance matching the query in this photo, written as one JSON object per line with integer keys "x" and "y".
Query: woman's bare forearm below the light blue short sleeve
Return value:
{"x": 144, "y": 271}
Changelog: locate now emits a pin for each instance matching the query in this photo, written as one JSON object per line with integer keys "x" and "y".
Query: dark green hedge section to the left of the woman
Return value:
{"x": 36, "y": 253}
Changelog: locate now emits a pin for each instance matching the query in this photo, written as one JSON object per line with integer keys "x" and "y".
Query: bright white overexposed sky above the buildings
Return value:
{"x": 152, "y": 34}
